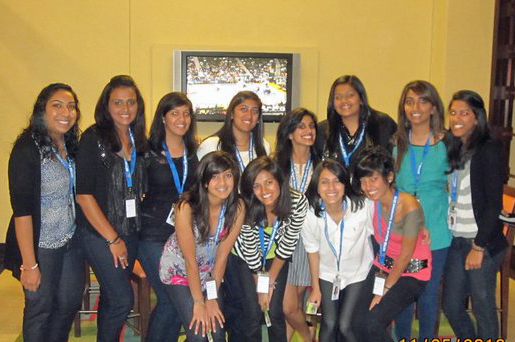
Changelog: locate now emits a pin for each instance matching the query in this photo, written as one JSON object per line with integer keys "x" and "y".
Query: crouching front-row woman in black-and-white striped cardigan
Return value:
{"x": 267, "y": 240}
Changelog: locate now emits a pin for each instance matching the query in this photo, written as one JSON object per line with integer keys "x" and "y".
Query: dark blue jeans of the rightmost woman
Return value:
{"x": 479, "y": 284}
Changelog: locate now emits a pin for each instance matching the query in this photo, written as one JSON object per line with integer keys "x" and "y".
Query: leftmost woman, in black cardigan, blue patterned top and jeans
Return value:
{"x": 41, "y": 249}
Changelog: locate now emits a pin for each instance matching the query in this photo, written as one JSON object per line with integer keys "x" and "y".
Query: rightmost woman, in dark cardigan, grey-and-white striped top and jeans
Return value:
{"x": 478, "y": 245}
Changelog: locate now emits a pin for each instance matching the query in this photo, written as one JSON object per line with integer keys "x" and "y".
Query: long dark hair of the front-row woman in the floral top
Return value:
{"x": 197, "y": 197}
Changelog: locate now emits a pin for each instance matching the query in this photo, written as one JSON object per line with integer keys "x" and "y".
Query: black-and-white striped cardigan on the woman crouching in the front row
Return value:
{"x": 247, "y": 245}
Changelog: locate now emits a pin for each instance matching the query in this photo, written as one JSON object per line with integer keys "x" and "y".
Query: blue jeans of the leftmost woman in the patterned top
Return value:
{"x": 49, "y": 312}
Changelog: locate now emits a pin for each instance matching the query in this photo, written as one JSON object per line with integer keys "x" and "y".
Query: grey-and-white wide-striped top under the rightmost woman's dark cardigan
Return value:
{"x": 466, "y": 225}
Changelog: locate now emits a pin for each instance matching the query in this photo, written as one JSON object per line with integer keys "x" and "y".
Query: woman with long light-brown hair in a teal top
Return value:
{"x": 420, "y": 165}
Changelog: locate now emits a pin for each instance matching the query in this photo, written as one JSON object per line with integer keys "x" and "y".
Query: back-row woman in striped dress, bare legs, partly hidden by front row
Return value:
{"x": 297, "y": 155}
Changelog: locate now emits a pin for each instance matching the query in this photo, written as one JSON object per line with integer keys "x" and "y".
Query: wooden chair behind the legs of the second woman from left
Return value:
{"x": 138, "y": 318}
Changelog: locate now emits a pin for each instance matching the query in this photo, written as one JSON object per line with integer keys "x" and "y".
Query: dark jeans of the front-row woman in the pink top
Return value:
{"x": 405, "y": 291}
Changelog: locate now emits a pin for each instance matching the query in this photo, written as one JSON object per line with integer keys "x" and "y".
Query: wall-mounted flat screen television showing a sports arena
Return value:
{"x": 210, "y": 79}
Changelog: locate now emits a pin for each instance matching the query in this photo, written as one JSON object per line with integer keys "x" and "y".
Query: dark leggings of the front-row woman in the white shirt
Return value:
{"x": 344, "y": 317}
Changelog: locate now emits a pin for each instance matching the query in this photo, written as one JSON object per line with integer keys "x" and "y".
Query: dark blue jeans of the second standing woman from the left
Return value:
{"x": 116, "y": 296}
